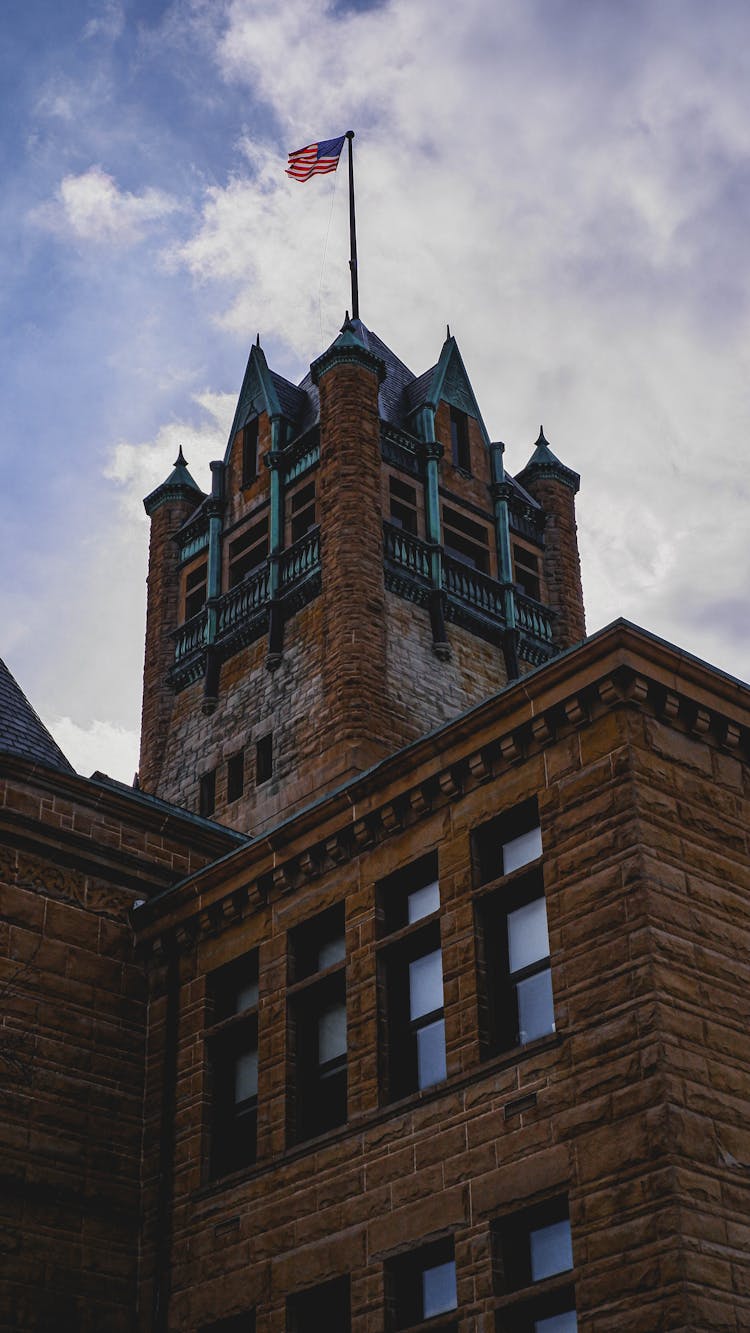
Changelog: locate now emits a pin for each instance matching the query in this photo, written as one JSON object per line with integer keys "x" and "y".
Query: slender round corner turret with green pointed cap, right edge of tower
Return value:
{"x": 555, "y": 487}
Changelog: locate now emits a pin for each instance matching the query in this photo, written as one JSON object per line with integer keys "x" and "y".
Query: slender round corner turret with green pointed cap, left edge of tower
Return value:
{"x": 169, "y": 507}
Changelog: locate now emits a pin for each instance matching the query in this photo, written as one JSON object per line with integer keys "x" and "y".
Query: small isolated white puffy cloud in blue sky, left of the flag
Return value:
{"x": 91, "y": 207}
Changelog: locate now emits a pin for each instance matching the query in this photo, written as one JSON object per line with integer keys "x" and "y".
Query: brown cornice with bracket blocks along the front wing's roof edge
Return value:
{"x": 621, "y": 667}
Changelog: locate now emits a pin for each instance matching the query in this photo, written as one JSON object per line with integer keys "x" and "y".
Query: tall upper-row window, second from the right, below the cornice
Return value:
{"x": 411, "y": 970}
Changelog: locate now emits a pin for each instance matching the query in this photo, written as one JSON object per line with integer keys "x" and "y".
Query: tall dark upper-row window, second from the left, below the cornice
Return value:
{"x": 318, "y": 1014}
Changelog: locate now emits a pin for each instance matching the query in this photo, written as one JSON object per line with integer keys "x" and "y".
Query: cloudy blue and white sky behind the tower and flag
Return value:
{"x": 567, "y": 183}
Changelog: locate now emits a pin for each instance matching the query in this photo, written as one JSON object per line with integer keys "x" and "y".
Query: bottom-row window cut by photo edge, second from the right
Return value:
{"x": 422, "y": 1286}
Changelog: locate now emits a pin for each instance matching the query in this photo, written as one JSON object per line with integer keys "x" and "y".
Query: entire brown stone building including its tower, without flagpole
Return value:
{"x": 411, "y": 991}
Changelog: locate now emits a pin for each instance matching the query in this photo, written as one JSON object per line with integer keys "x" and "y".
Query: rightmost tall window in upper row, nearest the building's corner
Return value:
{"x": 514, "y": 940}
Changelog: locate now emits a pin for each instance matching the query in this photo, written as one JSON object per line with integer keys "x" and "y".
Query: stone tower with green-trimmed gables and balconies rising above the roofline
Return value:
{"x": 362, "y": 571}
